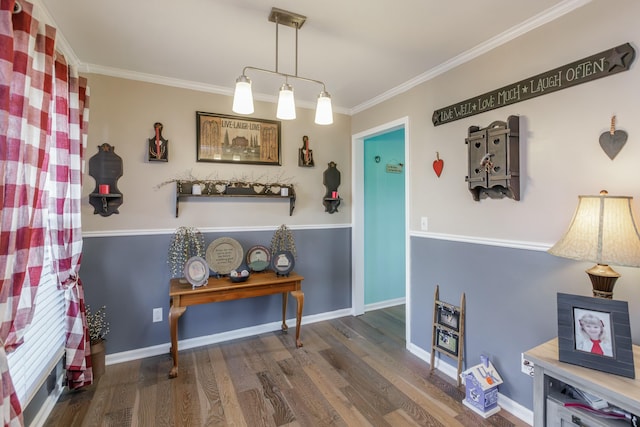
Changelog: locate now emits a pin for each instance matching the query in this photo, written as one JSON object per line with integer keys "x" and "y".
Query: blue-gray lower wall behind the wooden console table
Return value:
{"x": 130, "y": 275}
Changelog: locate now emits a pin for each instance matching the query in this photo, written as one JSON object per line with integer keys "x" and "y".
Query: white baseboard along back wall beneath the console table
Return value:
{"x": 156, "y": 350}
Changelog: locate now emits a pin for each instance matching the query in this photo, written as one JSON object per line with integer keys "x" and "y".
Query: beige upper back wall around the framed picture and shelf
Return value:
{"x": 122, "y": 113}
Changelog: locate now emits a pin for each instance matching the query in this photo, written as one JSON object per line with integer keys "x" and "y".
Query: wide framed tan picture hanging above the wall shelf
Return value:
{"x": 231, "y": 139}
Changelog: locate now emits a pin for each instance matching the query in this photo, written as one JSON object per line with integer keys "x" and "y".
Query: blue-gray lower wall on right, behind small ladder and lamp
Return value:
{"x": 511, "y": 297}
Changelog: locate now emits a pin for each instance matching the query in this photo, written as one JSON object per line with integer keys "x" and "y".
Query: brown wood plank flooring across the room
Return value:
{"x": 352, "y": 371}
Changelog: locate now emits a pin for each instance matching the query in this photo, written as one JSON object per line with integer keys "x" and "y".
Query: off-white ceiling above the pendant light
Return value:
{"x": 363, "y": 50}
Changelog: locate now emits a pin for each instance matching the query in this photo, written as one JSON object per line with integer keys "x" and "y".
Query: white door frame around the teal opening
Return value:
{"x": 357, "y": 214}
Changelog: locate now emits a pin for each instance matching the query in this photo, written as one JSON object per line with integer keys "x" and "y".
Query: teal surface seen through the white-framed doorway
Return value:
{"x": 384, "y": 218}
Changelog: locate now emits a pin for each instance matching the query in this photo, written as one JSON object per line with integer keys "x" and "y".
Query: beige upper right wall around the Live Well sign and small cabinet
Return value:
{"x": 560, "y": 154}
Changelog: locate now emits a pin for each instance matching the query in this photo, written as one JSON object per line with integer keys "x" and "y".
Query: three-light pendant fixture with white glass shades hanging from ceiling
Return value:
{"x": 243, "y": 96}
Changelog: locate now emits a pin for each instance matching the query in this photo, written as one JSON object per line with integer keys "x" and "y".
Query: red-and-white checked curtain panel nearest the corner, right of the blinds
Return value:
{"x": 69, "y": 130}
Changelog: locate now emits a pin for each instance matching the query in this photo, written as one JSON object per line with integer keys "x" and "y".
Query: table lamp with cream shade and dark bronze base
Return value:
{"x": 603, "y": 230}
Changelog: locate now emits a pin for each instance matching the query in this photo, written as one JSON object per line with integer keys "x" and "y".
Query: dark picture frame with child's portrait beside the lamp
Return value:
{"x": 595, "y": 333}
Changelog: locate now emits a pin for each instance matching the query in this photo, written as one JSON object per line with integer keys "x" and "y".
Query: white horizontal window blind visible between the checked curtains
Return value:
{"x": 43, "y": 345}
